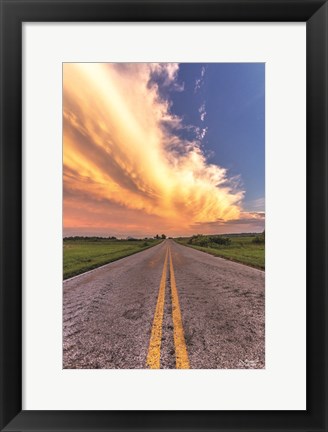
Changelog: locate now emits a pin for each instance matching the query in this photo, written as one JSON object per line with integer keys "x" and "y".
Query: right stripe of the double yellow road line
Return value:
{"x": 181, "y": 354}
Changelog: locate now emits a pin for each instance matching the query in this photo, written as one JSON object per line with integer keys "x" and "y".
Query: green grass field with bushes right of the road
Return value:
{"x": 241, "y": 249}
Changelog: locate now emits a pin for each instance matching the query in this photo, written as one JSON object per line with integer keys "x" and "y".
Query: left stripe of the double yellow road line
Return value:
{"x": 154, "y": 350}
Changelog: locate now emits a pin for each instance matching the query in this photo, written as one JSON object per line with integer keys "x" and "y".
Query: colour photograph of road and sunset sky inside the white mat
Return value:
{"x": 115, "y": 199}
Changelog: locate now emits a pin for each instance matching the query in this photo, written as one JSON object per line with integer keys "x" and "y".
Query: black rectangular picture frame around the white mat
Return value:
{"x": 13, "y": 14}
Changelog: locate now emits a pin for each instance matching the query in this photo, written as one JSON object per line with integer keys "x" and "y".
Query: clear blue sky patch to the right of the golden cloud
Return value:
{"x": 233, "y": 97}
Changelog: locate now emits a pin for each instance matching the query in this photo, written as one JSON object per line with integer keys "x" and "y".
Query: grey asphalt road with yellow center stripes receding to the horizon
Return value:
{"x": 169, "y": 306}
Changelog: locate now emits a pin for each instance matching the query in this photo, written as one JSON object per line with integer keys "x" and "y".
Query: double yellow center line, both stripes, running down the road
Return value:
{"x": 154, "y": 350}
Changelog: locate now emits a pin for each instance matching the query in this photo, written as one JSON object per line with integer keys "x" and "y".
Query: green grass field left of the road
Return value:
{"x": 81, "y": 255}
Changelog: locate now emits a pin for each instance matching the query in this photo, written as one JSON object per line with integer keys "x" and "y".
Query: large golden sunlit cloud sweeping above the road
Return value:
{"x": 125, "y": 167}
